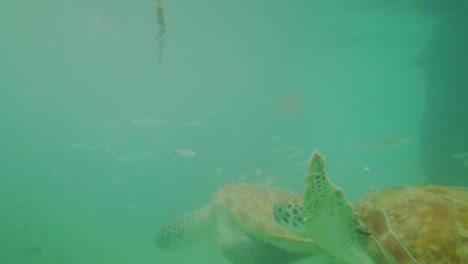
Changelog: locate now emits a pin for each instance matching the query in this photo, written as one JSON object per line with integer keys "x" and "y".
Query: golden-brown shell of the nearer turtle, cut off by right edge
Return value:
{"x": 419, "y": 224}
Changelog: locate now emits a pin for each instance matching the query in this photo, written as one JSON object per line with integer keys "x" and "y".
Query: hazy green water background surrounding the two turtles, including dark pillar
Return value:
{"x": 111, "y": 127}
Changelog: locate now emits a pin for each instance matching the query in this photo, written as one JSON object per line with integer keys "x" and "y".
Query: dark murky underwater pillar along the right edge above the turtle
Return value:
{"x": 444, "y": 126}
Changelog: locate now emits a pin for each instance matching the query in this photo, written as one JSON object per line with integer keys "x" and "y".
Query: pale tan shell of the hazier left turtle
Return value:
{"x": 252, "y": 207}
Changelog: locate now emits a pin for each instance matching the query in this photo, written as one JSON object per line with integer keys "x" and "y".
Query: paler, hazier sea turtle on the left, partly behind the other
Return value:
{"x": 240, "y": 216}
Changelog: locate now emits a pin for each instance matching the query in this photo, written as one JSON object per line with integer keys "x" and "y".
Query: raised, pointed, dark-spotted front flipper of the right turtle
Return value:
{"x": 330, "y": 218}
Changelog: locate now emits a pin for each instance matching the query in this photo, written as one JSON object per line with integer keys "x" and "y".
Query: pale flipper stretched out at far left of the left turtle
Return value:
{"x": 185, "y": 229}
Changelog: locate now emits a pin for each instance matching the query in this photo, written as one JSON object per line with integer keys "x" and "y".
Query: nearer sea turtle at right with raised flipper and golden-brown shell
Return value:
{"x": 409, "y": 224}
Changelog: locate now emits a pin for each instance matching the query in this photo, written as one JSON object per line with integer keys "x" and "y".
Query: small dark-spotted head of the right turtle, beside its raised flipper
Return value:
{"x": 289, "y": 216}
